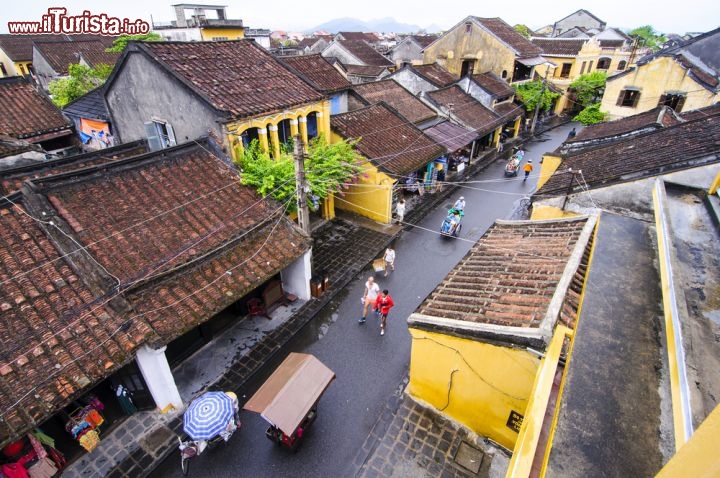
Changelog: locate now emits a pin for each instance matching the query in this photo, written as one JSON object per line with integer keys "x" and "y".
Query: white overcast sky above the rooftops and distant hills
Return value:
{"x": 664, "y": 15}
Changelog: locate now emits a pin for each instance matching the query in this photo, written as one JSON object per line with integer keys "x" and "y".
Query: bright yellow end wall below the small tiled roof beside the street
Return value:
{"x": 476, "y": 383}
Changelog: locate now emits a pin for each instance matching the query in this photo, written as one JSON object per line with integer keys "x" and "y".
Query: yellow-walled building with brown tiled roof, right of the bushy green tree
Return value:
{"x": 398, "y": 160}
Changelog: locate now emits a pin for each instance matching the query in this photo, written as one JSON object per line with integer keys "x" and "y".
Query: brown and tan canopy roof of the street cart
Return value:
{"x": 291, "y": 391}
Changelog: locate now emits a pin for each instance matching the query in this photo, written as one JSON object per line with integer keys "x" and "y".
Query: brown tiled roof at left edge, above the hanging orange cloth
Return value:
{"x": 27, "y": 113}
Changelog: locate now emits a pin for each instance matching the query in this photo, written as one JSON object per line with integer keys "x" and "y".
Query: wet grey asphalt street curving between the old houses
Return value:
{"x": 369, "y": 368}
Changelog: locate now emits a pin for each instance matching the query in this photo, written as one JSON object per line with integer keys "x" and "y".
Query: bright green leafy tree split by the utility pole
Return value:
{"x": 328, "y": 169}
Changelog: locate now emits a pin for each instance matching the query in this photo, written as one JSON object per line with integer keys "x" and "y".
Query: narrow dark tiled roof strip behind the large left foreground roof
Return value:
{"x": 12, "y": 179}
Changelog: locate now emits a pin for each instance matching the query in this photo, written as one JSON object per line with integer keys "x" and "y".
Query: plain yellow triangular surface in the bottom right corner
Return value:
{"x": 699, "y": 456}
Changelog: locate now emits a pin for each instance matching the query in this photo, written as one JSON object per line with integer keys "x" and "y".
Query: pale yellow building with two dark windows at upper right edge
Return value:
{"x": 685, "y": 77}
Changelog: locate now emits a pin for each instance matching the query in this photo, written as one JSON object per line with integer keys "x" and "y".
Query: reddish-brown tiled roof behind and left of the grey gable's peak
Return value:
{"x": 61, "y": 54}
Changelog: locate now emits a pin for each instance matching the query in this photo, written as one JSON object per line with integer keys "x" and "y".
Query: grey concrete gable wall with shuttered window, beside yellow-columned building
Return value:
{"x": 144, "y": 92}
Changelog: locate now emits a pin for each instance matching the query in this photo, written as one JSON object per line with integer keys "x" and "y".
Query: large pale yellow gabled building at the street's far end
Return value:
{"x": 478, "y": 45}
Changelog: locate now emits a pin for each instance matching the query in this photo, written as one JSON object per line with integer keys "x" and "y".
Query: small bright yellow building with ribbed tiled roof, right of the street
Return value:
{"x": 478, "y": 338}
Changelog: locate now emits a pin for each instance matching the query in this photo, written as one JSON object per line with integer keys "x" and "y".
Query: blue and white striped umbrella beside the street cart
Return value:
{"x": 208, "y": 415}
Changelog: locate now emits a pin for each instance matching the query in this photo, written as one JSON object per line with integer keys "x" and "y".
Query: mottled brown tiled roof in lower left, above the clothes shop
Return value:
{"x": 56, "y": 337}
